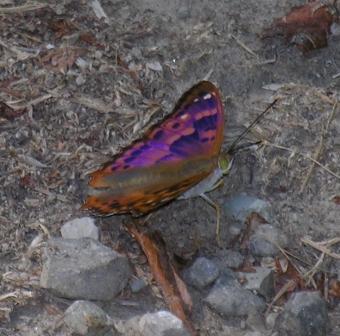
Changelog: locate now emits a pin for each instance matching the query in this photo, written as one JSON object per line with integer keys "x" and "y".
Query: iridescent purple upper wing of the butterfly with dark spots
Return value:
{"x": 194, "y": 128}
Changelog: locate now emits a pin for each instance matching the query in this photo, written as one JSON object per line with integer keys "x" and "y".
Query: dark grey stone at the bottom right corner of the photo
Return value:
{"x": 305, "y": 314}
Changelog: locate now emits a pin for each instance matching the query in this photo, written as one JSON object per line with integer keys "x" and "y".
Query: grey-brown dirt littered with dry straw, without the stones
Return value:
{"x": 82, "y": 88}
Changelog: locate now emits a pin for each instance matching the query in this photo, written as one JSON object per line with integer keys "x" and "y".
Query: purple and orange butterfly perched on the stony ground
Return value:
{"x": 178, "y": 158}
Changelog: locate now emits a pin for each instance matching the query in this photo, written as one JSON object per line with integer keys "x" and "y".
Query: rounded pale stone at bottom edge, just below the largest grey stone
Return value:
{"x": 83, "y": 317}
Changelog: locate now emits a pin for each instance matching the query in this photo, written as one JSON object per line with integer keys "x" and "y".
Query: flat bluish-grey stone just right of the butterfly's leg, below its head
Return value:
{"x": 241, "y": 206}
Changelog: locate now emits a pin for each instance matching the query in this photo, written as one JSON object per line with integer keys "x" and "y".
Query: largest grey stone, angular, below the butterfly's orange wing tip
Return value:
{"x": 83, "y": 269}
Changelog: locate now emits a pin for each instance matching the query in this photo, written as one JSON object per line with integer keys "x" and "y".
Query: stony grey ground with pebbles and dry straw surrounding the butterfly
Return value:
{"x": 79, "y": 80}
